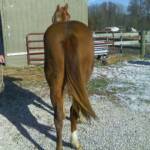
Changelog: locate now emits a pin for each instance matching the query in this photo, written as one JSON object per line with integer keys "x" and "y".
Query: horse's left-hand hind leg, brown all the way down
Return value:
{"x": 56, "y": 94}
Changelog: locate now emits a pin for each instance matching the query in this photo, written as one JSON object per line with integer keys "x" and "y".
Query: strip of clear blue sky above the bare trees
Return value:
{"x": 123, "y": 2}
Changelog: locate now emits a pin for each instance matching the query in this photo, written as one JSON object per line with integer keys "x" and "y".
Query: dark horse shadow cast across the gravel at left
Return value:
{"x": 14, "y": 102}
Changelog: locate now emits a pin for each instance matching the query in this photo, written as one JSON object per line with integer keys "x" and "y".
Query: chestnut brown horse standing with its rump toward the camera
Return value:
{"x": 68, "y": 62}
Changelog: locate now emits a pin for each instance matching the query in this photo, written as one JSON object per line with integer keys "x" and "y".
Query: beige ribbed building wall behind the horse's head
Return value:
{"x": 22, "y": 17}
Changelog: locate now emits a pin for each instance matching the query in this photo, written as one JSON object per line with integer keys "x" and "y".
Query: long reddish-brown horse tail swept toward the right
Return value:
{"x": 74, "y": 80}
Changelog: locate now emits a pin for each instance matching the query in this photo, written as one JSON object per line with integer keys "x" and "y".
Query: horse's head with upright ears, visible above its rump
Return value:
{"x": 61, "y": 14}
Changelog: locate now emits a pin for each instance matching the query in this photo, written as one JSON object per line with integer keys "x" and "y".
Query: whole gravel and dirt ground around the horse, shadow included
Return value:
{"x": 26, "y": 114}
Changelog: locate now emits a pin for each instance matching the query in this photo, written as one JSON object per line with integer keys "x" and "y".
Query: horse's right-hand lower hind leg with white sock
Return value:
{"x": 74, "y": 115}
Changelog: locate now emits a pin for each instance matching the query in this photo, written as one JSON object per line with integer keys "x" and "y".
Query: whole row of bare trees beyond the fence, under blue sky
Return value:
{"x": 112, "y": 14}
